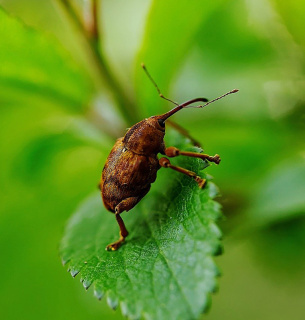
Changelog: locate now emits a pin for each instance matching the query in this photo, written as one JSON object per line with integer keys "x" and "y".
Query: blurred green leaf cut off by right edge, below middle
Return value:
{"x": 277, "y": 215}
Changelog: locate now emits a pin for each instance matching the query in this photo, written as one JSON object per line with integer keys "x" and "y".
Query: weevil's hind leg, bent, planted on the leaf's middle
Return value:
{"x": 125, "y": 205}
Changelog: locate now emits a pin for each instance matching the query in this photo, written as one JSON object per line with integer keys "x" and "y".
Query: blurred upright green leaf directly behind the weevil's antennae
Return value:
{"x": 170, "y": 34}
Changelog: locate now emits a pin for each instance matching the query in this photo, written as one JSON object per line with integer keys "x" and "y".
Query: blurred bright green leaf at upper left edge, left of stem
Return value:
{"x": 34, "y": 66}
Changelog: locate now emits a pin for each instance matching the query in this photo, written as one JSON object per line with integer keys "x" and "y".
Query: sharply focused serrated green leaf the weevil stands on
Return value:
{"x": 165, "y": 269}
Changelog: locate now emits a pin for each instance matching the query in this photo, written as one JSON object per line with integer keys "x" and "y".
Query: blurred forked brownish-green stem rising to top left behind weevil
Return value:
{"x": 92, "y": 38}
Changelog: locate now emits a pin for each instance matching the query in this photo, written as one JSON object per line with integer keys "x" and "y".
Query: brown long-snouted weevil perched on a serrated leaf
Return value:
{"x": 132, "y": 164}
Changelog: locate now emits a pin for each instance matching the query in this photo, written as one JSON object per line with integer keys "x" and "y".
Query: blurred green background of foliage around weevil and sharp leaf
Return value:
{"x": 62, "y": 107}
